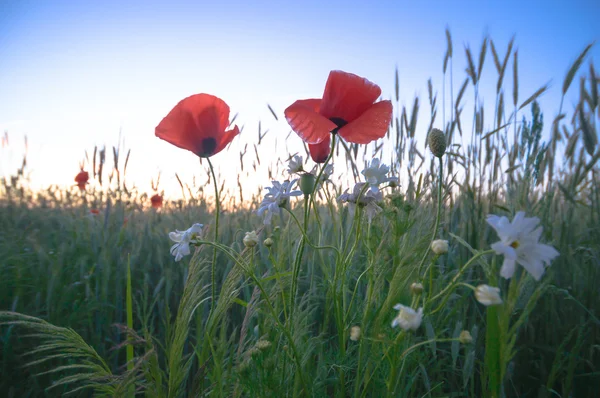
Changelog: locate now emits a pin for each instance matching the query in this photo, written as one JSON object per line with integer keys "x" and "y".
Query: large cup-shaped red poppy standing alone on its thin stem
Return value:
{"x": 197, "y": 123}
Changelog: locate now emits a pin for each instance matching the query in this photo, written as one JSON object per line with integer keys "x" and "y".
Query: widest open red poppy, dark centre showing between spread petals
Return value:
{"x": 348, "y": 108}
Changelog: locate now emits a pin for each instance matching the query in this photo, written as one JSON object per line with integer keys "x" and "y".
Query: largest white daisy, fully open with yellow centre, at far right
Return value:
{"x": 519, "y": 243}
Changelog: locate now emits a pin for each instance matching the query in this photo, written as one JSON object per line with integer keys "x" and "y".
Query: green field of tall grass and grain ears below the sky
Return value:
{"x": 95, "y": 303}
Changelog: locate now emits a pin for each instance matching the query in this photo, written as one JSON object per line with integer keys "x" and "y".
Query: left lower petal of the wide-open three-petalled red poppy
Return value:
{"x": 304, "y": 118}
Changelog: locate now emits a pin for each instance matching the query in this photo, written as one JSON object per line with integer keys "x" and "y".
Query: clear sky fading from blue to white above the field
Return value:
{"x": 75, "y": 73}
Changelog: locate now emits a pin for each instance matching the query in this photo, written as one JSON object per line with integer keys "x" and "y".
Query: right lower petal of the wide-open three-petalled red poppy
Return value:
{"x": 371, "y": 125}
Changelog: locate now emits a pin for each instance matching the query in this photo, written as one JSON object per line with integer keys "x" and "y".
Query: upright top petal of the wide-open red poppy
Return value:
{"x": 347, "y": 96}
